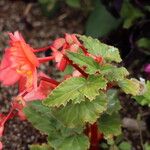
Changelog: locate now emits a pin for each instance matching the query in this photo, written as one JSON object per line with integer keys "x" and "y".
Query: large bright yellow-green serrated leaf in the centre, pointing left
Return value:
{"x": 74, "y": 89}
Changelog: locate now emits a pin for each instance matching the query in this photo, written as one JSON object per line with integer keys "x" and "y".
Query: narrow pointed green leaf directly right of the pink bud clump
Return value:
{"x": 83, "y": 60}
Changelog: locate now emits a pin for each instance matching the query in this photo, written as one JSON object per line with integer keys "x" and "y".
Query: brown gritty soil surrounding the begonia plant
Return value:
{"x": 39, "y": 31}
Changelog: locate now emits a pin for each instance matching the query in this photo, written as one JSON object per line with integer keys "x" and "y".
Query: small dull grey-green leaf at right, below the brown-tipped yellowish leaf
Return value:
{"x": 113, "y": 102}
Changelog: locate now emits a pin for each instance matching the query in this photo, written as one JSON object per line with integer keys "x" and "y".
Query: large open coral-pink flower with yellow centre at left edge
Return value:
{"x": 19, "y": 63}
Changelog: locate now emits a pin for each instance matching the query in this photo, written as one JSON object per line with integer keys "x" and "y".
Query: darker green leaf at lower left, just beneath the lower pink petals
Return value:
{"x": 40, "y": 116}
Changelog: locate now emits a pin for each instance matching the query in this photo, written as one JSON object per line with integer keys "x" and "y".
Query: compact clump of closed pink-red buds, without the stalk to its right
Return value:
{"x": 59, "y": 47}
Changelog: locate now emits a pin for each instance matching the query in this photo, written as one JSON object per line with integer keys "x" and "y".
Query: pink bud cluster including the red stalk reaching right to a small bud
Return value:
{"x": 69, "y": 43}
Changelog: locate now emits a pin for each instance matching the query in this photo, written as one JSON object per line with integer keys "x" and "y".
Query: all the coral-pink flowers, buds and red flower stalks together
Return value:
{"x": 20, "y": 66}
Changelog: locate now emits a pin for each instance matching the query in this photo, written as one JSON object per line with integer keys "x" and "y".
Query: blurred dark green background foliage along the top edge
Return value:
{"x": 100, "y": 20}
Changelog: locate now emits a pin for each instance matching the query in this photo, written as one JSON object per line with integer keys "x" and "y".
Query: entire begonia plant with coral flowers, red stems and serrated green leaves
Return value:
{"x": 79, "y": 111}
